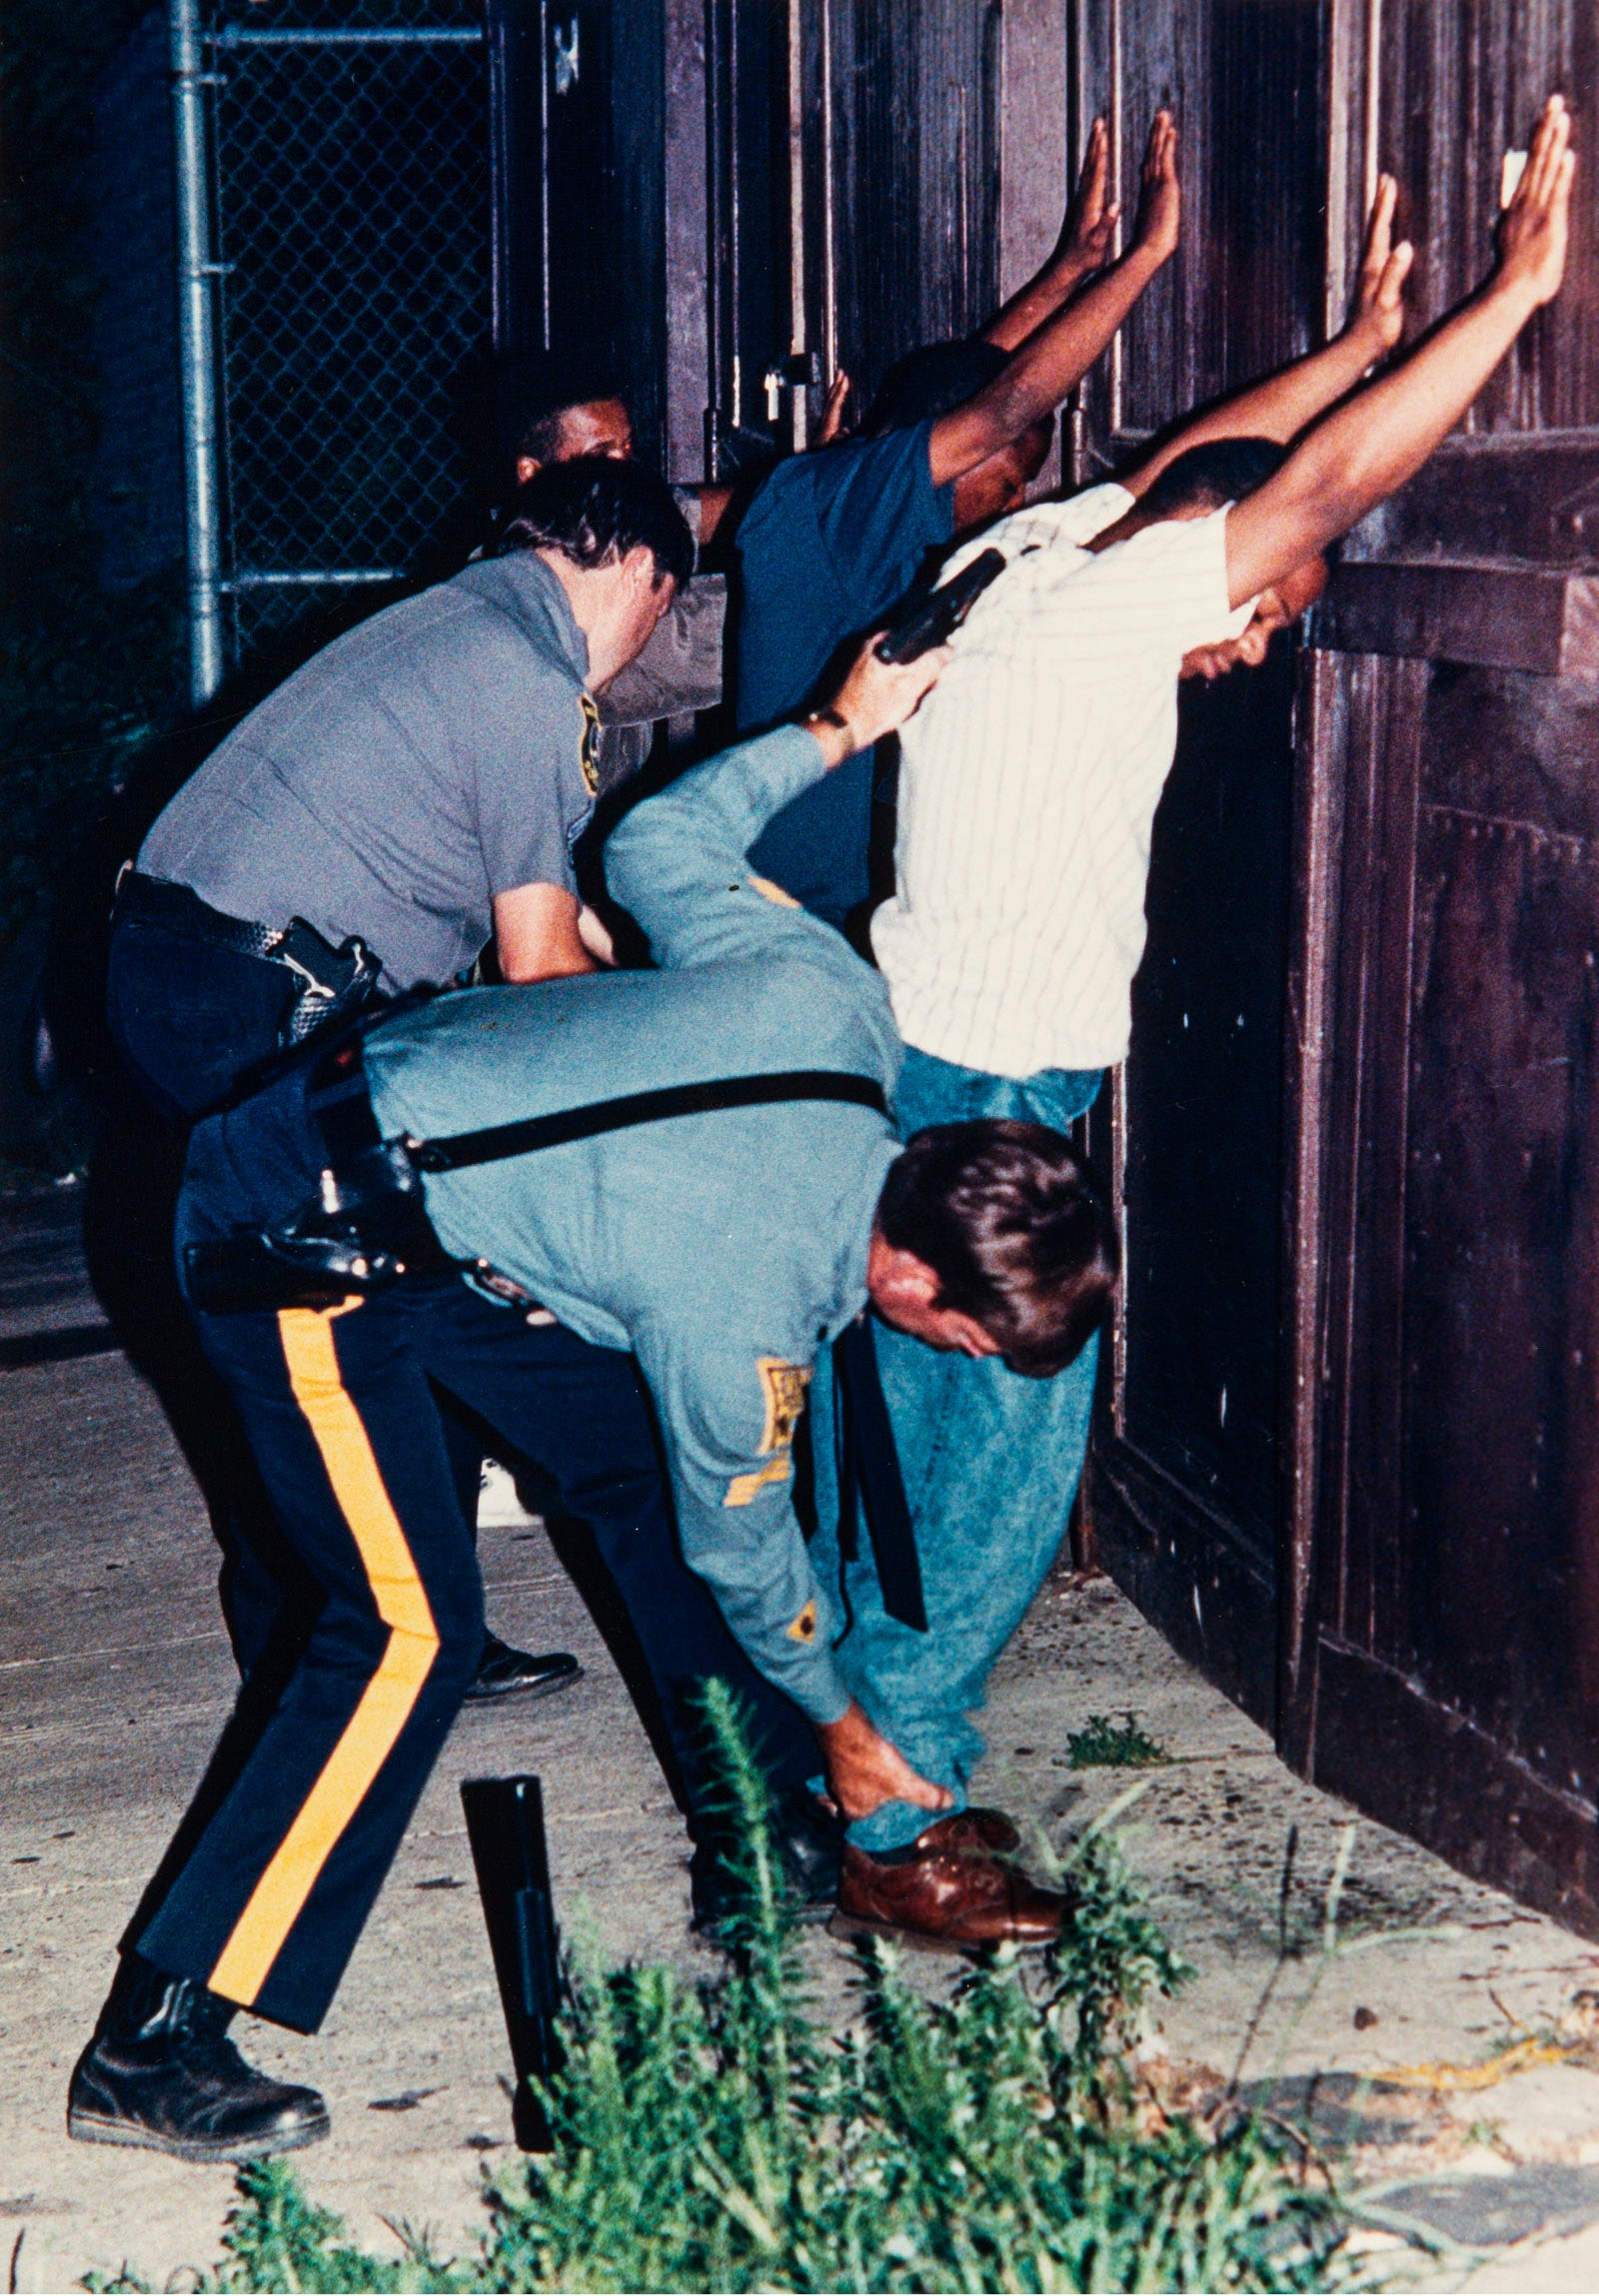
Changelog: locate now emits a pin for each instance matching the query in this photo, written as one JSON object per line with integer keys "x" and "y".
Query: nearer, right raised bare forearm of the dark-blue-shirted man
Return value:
{"x": 1067, "y": 346}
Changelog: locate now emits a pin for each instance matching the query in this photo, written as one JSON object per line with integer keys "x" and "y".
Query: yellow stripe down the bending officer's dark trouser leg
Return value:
{"x": 389, "y": 1698}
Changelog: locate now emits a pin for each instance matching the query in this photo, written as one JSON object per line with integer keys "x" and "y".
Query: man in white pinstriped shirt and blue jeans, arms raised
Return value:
{"x": 1028, "y": 796}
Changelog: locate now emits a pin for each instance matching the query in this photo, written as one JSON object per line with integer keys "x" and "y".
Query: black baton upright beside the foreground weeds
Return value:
{"x": 507, "y": 1831}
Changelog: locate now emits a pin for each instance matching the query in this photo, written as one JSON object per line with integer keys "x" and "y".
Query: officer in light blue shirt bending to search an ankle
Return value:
{"x": 718, "y": 1239}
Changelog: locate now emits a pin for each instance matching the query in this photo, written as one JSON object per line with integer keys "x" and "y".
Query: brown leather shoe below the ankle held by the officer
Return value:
{"x": 945, "y": 1893}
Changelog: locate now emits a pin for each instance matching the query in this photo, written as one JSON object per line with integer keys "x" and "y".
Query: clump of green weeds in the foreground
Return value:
{"x": 718, "y": 2136}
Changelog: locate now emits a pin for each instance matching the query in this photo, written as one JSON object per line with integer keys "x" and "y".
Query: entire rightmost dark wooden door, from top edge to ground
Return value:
{"x": 1442, "y": 1634}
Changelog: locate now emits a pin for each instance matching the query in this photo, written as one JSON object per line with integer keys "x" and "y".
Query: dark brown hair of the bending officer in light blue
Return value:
{"x": 1017, "y": 1230}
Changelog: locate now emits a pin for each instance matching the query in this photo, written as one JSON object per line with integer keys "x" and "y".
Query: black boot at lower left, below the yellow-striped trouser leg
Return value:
{"x": 164, "y": 2074}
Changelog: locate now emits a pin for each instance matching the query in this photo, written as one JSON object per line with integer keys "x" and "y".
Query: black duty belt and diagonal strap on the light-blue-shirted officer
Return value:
{"x": 369, "y": 1225}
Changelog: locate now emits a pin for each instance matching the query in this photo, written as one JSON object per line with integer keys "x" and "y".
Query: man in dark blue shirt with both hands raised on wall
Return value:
{"x": 959, "y": 433}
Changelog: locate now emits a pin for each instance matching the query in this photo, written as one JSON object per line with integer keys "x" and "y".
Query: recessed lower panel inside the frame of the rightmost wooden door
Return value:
{"x": 1499, "y": 1601}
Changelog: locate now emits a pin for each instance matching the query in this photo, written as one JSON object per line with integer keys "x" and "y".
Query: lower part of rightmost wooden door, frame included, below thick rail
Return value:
{"x": 1453, "y": 1551}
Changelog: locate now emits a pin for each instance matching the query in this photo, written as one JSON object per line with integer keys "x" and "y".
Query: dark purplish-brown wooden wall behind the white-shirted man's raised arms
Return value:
{"x": 1370, "y": 991}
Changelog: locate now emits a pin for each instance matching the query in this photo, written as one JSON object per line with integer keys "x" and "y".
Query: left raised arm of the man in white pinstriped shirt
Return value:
{"x": 1285, "y": 403}
